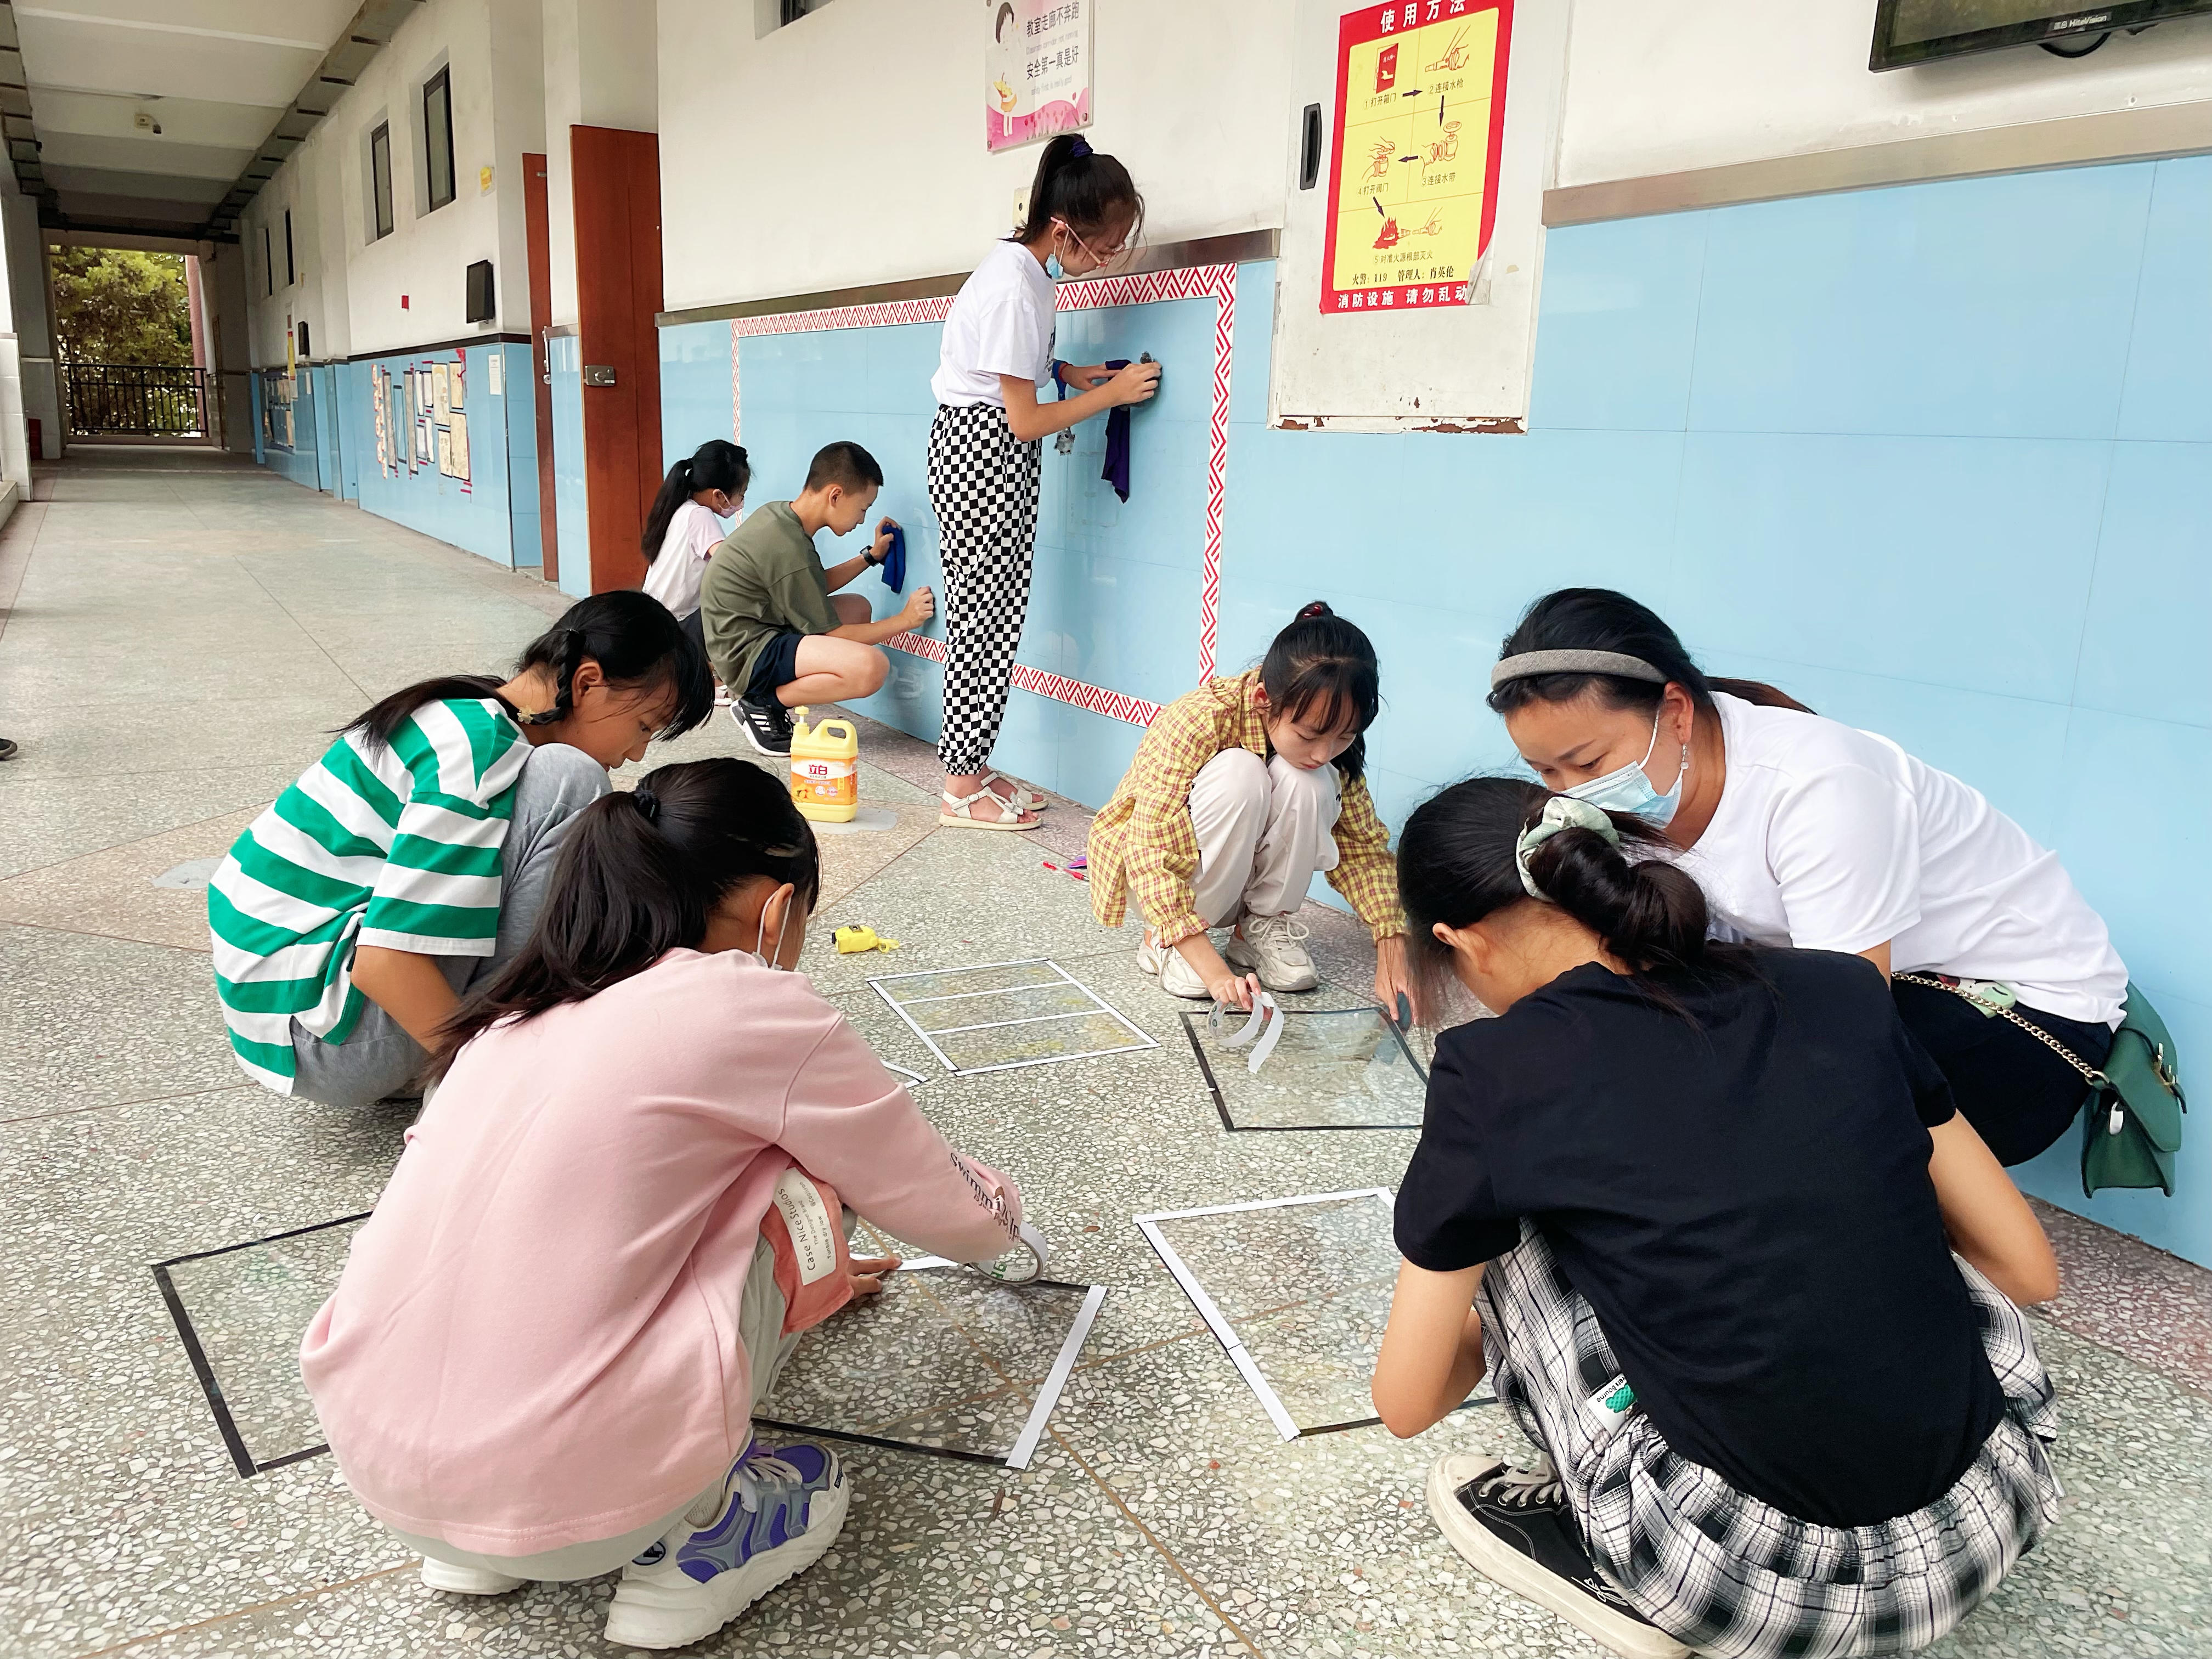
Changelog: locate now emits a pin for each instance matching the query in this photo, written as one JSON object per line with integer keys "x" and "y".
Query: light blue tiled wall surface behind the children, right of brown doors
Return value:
{"x": 1844, "y": 444}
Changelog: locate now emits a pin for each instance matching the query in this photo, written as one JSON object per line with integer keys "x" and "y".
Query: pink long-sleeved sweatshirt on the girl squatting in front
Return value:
{"x": 534, "y": 1342}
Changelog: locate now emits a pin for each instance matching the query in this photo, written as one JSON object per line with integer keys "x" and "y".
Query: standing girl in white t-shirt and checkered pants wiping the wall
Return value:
{"x": 985, "y": 452}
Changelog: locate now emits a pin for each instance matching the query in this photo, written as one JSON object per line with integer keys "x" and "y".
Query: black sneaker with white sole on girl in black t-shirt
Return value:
{"x": 1514, "y": 1527}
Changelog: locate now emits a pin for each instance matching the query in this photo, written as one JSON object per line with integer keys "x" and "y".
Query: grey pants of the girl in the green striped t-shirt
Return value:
{"x": 379, "y": 1058}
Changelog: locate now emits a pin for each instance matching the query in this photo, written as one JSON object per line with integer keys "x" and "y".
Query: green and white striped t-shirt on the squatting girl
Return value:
{"x": 375, "y": 846}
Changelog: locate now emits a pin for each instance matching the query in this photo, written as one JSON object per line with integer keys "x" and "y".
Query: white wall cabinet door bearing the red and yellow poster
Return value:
{"x": 1412, "y": 253}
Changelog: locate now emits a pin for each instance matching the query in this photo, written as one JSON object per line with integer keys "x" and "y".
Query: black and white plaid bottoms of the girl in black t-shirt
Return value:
{"x": 1729, "y": 1574}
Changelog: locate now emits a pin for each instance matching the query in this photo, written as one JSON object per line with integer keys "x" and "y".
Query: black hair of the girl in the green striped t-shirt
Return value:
{"x": 634, "y": 640}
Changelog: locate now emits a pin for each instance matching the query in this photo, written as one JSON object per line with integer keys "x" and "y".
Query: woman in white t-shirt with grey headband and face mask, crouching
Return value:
{"x": 1815, "y": 835}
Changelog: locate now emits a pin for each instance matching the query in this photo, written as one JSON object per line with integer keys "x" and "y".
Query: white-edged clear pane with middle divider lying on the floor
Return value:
{"x": 999, "y": 1016}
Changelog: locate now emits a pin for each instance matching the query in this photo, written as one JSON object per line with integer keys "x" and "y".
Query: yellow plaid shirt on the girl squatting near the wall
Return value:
{"x": 1142, "y": 844}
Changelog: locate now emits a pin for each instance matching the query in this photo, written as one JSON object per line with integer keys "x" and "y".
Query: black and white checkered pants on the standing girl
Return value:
{"x": 983, "y": 488}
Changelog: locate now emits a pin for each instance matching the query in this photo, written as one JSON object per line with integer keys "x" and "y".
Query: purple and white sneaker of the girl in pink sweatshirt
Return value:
{"x": 782, "y": 1510}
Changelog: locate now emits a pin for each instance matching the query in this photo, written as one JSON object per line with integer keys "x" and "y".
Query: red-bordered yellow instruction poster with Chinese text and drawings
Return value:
{"x": 1421, "y": 114}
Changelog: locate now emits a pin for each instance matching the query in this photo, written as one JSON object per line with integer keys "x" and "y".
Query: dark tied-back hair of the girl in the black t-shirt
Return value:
{"x": 1457, "y": 866}
